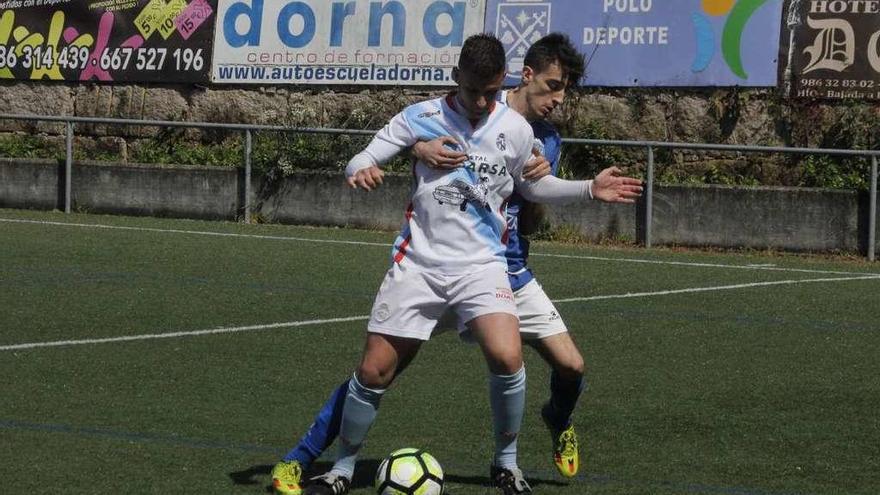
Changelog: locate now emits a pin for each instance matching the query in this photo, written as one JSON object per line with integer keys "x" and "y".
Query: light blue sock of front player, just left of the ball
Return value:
{"x": 358, "y": 414}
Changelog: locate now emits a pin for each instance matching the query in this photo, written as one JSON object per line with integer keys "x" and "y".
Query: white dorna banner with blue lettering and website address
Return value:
{"x": 379, "y": 42}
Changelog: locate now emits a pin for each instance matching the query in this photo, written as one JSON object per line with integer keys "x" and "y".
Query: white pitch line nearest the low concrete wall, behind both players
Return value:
{"x": 388, "y": 245}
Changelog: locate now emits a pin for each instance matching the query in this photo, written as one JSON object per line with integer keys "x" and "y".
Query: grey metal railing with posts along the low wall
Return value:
{"x": 649, "y": 146}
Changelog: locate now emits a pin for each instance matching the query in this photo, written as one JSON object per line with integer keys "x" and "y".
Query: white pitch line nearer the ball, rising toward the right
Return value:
{"x": 214, "y": 331}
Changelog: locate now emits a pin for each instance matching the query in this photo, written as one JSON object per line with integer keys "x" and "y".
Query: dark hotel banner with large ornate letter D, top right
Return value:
{"x": 833, "y": 50}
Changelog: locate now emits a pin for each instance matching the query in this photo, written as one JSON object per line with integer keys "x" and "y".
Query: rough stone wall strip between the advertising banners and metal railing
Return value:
{"x": 758, "y": 116}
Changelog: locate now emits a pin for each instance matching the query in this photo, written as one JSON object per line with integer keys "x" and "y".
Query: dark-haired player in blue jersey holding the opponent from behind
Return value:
{"x": 552, "y": 66}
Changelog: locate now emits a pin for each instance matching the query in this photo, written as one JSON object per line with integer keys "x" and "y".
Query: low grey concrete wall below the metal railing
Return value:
{"x": 796, "y": 219}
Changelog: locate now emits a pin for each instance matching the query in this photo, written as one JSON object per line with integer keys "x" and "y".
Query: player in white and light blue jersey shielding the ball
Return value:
{"x": 450, "y": 254}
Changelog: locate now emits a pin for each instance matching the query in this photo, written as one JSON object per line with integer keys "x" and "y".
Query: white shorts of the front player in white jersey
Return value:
{"x": 410, "y": 301}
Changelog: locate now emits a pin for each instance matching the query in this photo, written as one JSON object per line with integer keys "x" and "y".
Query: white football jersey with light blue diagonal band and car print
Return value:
{"x": 456, "y": 218}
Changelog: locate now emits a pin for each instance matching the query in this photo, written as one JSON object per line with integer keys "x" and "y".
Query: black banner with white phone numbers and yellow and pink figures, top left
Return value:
{"x": 106, "y": 40}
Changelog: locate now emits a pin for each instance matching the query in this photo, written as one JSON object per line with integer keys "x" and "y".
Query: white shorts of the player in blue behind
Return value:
{"x": 538, "y": 317}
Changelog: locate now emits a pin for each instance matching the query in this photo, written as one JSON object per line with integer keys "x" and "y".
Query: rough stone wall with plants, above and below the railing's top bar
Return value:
{"x": 729, "y": 115}
